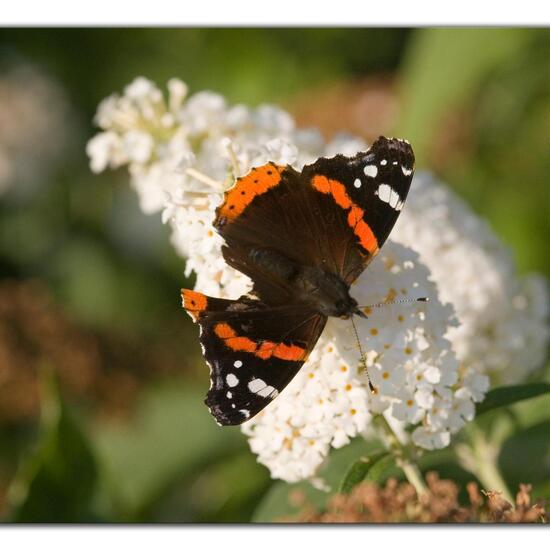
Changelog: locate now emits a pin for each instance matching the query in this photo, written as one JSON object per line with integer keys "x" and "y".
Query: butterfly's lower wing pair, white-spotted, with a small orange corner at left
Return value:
{"x": 253, "y": 350}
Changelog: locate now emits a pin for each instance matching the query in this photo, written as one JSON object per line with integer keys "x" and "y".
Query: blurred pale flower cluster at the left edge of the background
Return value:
{"x": 33, "y": 126}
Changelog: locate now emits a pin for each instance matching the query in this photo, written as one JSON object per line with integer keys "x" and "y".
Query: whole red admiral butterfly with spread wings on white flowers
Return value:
{"x": 303, "y": 238}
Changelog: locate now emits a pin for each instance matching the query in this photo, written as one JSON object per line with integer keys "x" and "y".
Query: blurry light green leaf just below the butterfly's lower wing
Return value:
{"x": 170, "y": 438}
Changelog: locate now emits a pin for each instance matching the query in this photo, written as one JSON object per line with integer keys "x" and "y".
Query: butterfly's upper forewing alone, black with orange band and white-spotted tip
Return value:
{"x": 364, "y": 195}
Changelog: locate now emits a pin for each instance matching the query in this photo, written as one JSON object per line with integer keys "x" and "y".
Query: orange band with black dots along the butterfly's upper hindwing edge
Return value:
{"x": 247, "y": 188}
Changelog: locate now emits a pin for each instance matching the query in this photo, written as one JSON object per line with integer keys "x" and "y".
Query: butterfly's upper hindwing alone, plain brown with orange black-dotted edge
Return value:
{"x": 268, "y": 223}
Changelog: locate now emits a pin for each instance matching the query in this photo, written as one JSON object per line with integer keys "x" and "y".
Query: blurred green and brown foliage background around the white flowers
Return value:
{"x": 101, "y": 379}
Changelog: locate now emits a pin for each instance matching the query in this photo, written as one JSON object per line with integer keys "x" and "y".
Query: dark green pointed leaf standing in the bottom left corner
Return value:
{"x": 57, "y": 482}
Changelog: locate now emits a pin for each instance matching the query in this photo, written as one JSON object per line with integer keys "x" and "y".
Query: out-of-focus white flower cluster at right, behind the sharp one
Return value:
{"x": 503, "y": 328}
